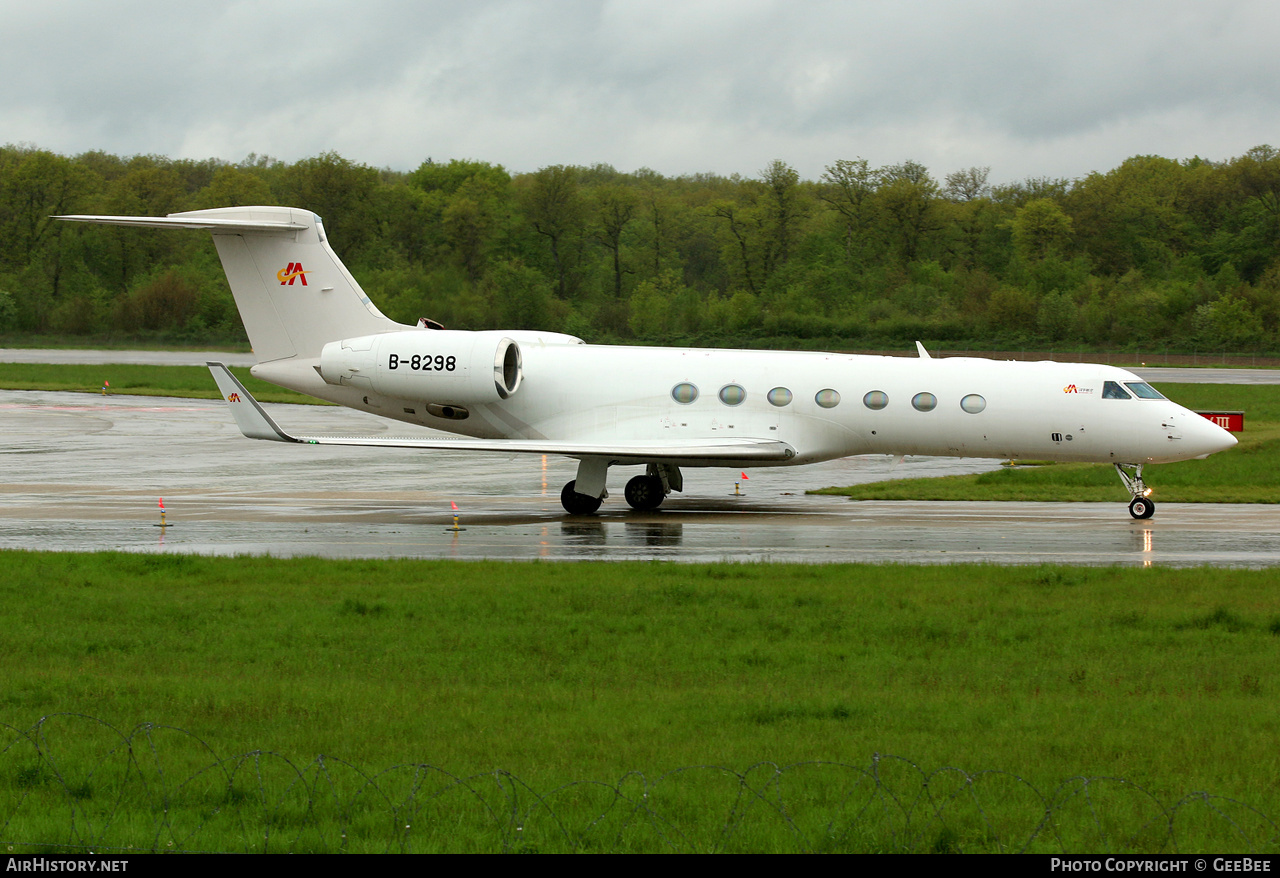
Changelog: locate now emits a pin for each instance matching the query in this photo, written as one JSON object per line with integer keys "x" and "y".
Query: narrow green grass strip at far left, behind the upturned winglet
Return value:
{"x": 189, "y": 382}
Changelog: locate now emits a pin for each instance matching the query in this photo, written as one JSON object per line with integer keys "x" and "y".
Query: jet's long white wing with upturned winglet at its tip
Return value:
{"x": 257, "y": 424}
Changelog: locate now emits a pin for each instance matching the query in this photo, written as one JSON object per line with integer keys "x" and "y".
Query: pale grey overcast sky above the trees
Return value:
{"x": 1030, "y": 88}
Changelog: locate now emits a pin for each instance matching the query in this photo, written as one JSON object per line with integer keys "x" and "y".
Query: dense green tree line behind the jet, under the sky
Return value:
{"x": 1180, "y": 254}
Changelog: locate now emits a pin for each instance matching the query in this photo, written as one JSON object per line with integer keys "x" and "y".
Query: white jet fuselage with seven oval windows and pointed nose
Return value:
{"x": 824, "y": 405}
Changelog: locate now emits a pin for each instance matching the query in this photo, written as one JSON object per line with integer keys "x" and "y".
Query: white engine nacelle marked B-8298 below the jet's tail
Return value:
{"x": 432, "y": 367}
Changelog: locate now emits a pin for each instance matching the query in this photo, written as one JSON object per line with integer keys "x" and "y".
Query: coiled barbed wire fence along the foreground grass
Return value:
{"x": 76, "y": 784}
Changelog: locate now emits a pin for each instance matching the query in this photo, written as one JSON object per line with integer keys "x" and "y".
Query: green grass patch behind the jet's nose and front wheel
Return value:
{"x": 1246, "y": 474}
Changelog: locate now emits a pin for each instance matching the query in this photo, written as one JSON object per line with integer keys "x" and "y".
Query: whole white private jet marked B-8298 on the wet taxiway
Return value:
{"x": 314, "y": 331}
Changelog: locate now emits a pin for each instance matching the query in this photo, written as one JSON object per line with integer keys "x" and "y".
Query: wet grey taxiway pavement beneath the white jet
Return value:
{"x": 80, "y": 472}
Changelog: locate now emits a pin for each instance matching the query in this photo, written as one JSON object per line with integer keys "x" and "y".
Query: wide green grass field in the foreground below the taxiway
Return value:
{"x": 580, "y": 674}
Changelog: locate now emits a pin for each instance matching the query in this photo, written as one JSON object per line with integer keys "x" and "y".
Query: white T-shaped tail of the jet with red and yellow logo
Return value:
{"x": 292, "y": 291}
